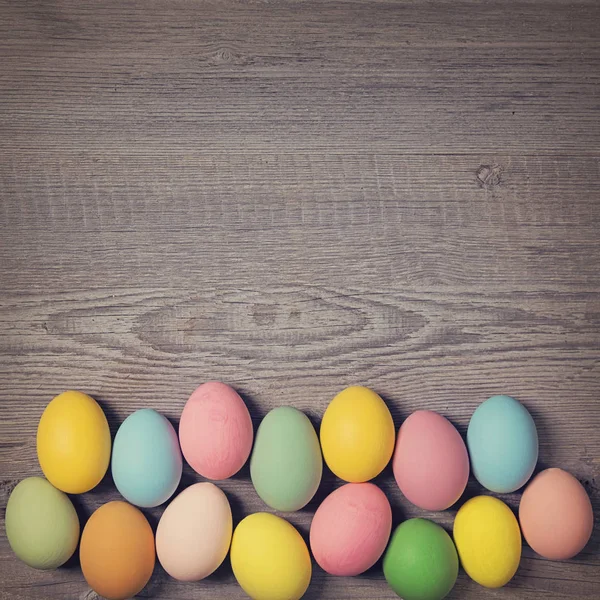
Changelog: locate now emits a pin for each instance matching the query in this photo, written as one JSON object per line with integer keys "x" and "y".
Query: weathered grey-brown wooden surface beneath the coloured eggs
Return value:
{"x": 293, "y": 197}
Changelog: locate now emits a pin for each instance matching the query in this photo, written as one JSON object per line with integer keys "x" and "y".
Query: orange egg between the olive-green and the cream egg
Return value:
{"x": 117, "y": 551}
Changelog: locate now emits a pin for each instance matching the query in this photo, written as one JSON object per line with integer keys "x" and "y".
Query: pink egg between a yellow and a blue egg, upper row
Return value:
{"x": 431, "y": 464}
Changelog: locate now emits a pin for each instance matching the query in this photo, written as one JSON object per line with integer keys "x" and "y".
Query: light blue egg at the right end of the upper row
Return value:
{"x": 503, "y": 444}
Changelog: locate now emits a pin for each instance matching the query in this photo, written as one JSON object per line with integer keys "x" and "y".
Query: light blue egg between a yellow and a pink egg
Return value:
{"x": 146, "y": 459}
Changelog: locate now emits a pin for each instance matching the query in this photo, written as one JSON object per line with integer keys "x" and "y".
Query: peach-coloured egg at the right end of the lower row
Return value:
{"x": 556, "y": 515}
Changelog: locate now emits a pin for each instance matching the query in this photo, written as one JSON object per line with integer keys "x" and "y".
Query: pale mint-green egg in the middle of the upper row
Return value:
{"x": 286, "y": 463}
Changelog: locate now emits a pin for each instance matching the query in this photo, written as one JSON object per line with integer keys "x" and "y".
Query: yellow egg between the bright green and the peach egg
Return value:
{"x": 488, "y": 540}
